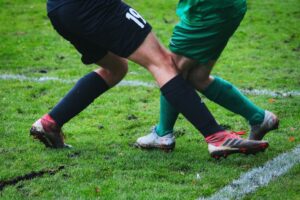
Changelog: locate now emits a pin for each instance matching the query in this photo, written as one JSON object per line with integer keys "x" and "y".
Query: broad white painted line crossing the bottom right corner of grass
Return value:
{"x": 258, "y": 177}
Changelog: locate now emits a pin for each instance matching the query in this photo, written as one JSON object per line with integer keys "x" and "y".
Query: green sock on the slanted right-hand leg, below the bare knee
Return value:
{"x": 228, "y": 96}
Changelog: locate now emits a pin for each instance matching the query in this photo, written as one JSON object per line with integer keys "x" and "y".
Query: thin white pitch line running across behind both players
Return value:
{"x": 144, "y": 84}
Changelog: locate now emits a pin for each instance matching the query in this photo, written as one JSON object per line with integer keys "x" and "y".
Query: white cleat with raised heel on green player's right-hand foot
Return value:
{"x": 271, "y": 122}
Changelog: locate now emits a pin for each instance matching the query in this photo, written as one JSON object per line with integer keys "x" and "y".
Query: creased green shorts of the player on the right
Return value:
{"x": 206, "y": 40}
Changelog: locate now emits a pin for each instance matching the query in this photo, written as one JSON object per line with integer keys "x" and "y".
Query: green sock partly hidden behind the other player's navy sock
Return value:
{"x": 167, "y": 119}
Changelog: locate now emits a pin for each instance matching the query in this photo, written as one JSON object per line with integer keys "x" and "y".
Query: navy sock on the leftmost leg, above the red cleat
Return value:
{"x": 79, "y": 97}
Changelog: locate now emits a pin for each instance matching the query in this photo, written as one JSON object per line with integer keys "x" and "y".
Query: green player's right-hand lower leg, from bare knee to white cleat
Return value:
{"x": 228, "y": 96}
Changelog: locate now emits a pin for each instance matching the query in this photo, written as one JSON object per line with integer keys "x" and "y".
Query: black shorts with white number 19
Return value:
{"x": 96, "y": 28}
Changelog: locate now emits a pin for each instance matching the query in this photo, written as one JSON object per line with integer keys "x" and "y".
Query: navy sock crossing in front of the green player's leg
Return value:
{"x": 185, "y": 99}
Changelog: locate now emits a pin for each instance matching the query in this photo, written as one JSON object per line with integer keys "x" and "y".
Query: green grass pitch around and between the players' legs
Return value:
{"x": 263, "y": 54}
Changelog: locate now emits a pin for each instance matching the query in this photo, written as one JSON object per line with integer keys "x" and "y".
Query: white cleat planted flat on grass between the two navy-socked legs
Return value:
{"x": 153, "y": 141}
